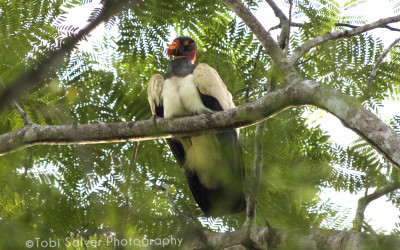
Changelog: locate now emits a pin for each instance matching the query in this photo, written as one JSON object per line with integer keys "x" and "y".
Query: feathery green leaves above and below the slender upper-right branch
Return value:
{"x": 345, "y": 64}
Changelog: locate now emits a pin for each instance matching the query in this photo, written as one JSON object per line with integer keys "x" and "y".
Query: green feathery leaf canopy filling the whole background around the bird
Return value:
{"x": 95, "y": 191}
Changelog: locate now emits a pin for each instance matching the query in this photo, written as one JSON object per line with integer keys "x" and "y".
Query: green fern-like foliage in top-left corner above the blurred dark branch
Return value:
{"x": 28, "y": 31}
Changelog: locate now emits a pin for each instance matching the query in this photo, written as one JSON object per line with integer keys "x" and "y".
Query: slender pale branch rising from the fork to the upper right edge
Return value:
{"x": 305, "y": 47}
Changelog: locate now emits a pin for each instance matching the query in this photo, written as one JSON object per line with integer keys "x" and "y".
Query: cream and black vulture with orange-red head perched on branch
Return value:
{"x": 212, "y": 163}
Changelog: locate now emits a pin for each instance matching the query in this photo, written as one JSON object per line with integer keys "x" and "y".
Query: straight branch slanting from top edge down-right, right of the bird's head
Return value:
{"x": 269, "y": 44}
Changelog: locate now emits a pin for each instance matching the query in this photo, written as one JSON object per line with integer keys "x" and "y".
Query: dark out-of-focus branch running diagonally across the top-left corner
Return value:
{"x": 48, "y": 66}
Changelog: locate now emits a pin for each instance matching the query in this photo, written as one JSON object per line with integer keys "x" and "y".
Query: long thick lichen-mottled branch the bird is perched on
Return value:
{"x": 300, "y": 92}
